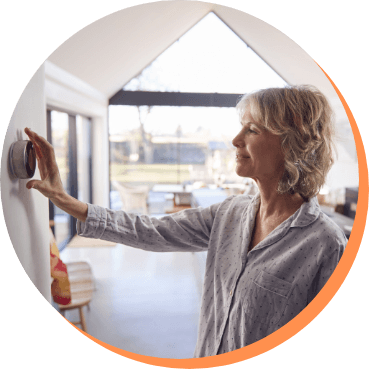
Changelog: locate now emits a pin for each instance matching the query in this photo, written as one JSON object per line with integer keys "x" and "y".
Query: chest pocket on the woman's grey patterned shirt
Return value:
{"x": 266, "y": 298}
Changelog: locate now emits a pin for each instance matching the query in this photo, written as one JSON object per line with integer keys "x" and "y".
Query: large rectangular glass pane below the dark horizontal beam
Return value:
{"x": 171, "y": 145}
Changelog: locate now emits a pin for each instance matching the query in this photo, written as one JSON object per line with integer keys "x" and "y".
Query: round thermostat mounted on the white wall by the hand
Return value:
{"x": 22, "y": 159}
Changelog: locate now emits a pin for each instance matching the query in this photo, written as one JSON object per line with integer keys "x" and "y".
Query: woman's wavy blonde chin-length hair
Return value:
{"x": 303, "y": 118}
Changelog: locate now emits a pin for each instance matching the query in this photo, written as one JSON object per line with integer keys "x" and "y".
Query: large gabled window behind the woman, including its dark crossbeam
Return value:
{"x": 175, "y": 121}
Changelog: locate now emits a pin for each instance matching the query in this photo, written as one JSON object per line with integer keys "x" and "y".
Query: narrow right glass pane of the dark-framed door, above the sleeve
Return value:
{"x": 83, "y": 161}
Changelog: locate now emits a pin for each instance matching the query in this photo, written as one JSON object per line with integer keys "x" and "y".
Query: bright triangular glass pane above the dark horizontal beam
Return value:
{"x": 210, "y": 57}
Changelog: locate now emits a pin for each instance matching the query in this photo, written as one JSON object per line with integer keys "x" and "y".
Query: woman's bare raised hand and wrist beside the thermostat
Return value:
{"x": 50, "y": 184}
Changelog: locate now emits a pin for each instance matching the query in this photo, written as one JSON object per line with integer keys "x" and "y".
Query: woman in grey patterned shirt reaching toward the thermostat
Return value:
{"x": 268, "y": 255}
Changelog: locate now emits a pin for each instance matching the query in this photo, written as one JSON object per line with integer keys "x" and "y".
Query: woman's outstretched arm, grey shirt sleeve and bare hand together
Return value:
{"x": 185, "y": 231}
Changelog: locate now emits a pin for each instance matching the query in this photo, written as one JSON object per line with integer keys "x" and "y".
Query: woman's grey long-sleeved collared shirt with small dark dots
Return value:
{"x": 246, "y": 296}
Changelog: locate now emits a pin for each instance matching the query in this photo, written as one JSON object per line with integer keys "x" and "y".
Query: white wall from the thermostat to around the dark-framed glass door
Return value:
{"x": 26, "y": 212}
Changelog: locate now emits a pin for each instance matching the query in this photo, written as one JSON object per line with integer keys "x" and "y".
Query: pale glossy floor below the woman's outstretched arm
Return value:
{"x": 146, "y": 303}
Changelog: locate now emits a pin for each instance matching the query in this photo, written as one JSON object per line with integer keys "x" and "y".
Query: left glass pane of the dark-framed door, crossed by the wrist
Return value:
{"x": 60, "y": 132}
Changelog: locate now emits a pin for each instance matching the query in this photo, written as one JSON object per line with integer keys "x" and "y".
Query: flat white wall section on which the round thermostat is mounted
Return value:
{"x": 26, "y": 212}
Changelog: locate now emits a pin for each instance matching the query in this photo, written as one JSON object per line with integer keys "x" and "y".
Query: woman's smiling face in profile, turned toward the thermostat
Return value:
{"x": 259, "y": 153}
